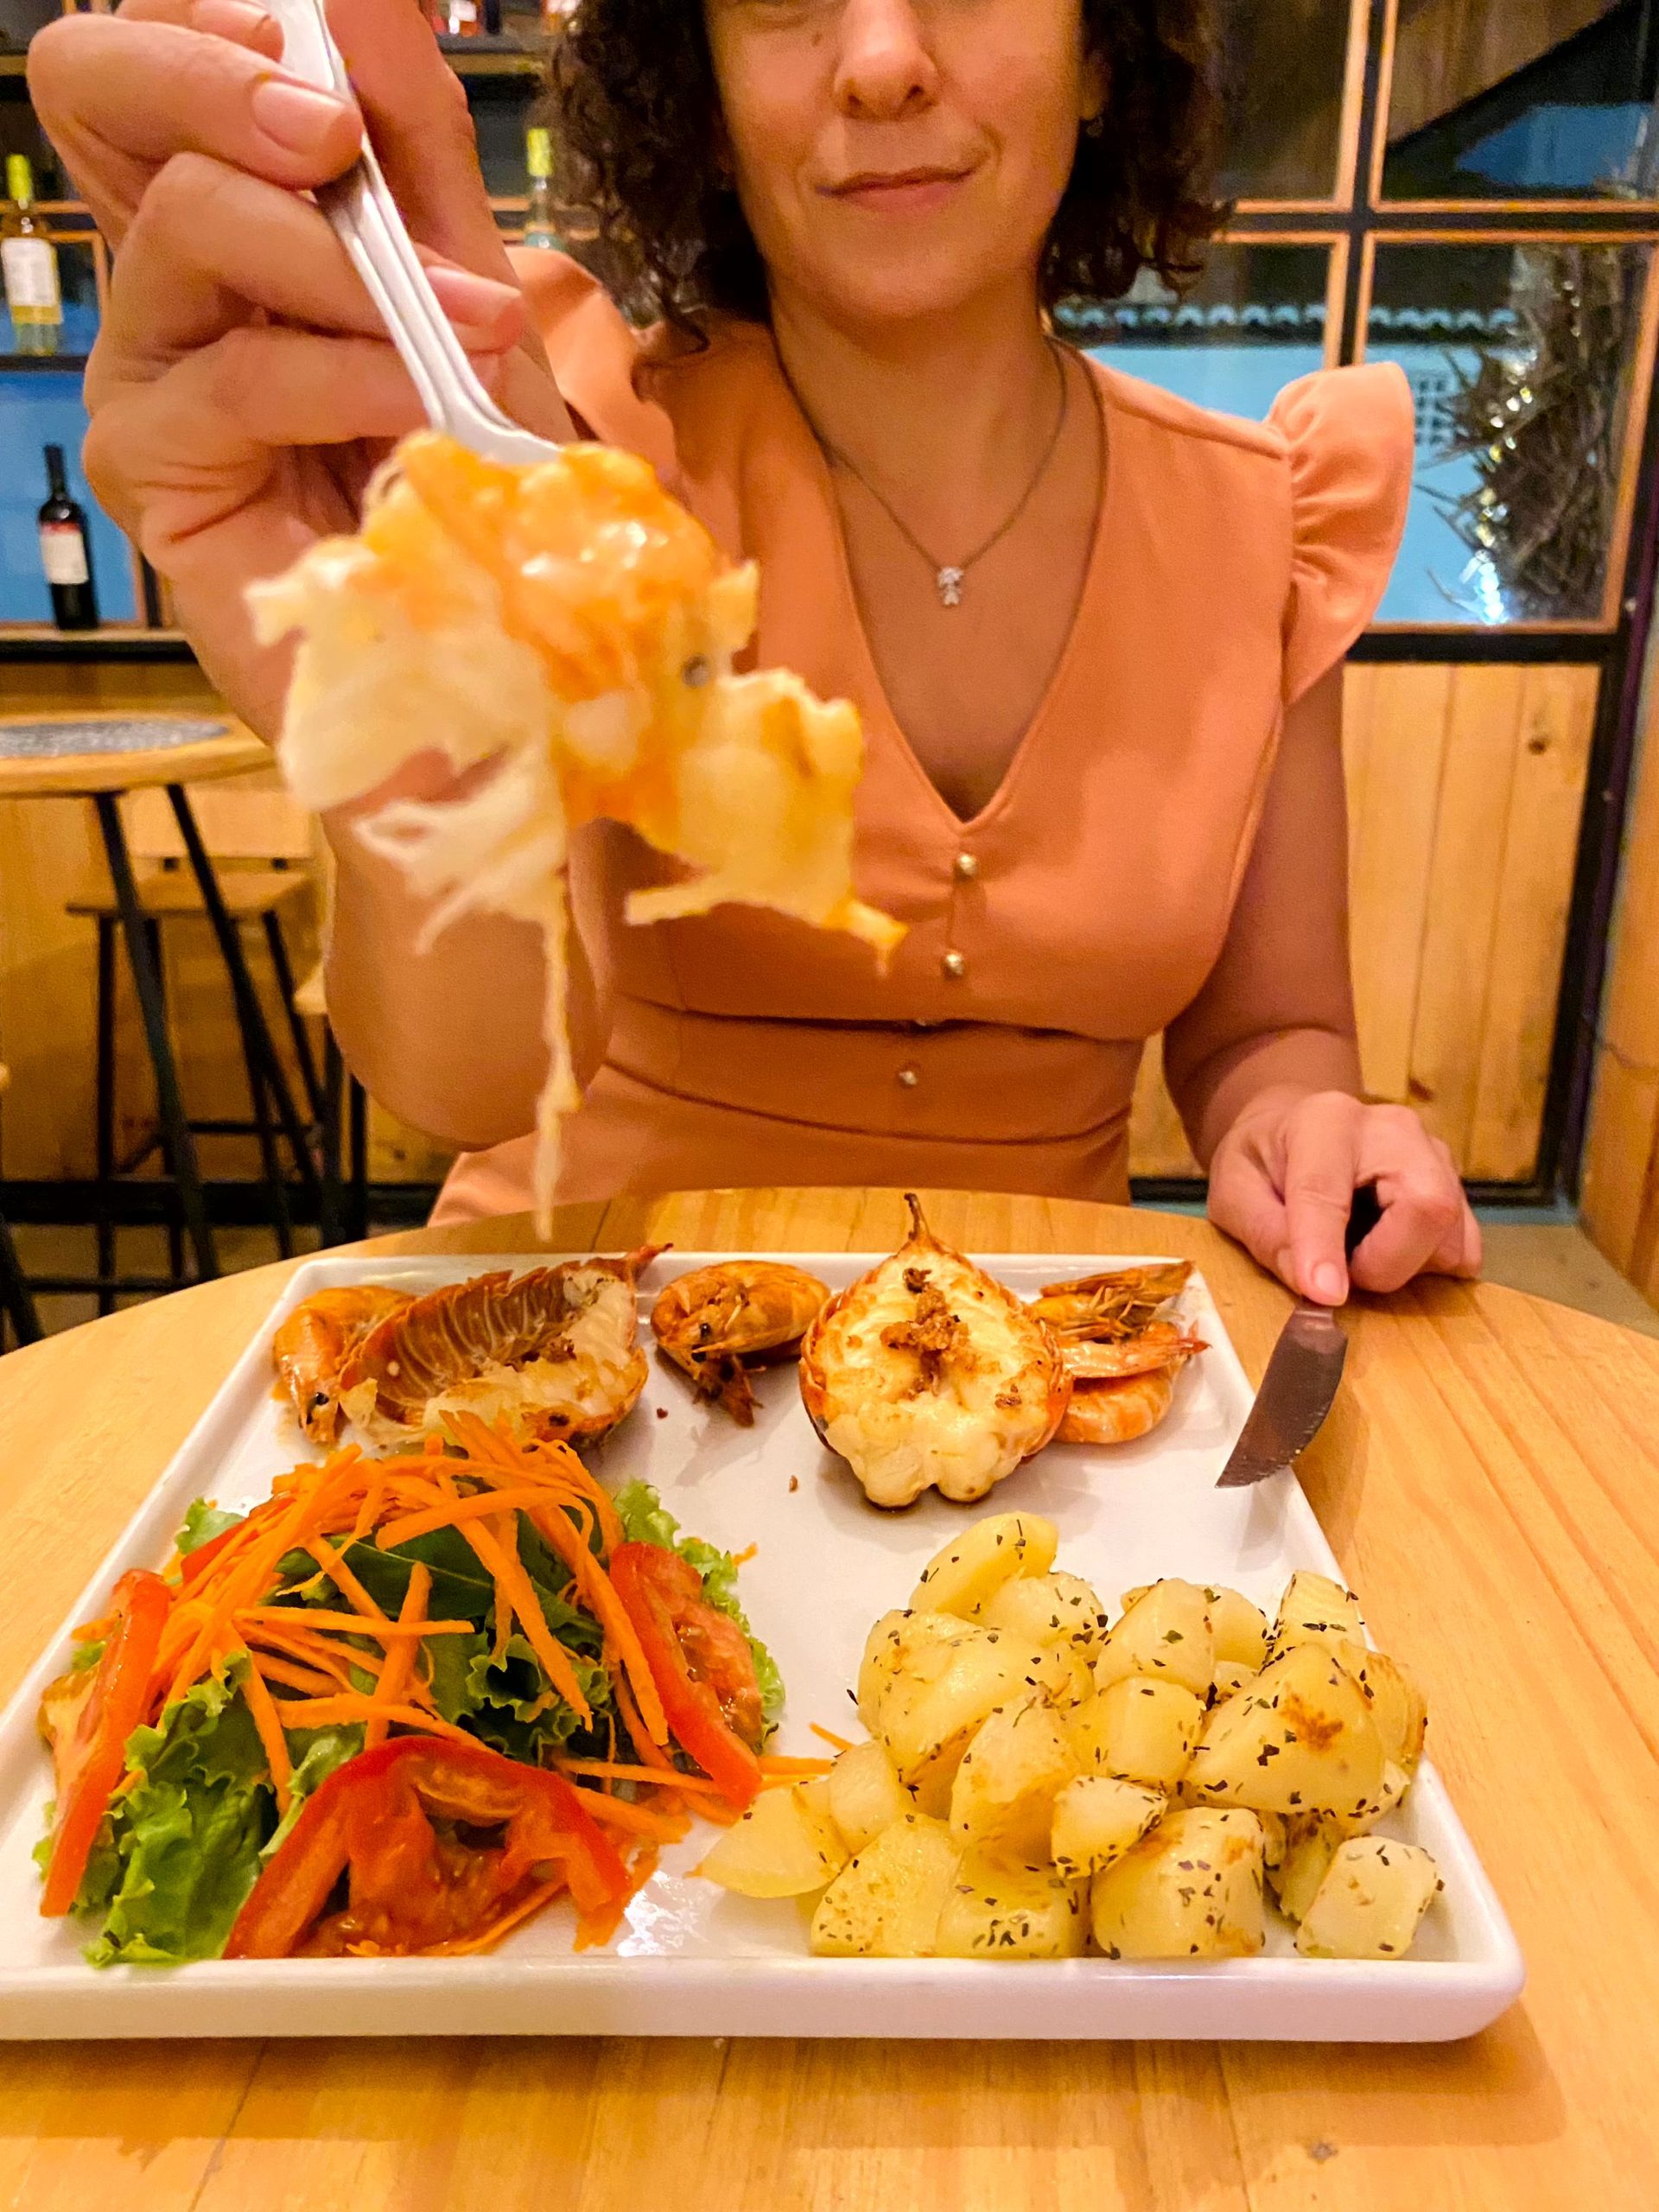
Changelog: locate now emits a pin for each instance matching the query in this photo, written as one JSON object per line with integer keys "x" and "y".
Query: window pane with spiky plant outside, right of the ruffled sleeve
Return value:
{"x": 1521, "y": 362}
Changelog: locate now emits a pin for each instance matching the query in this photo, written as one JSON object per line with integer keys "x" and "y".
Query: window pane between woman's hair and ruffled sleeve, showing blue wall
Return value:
{"x": 1251, "y": 326}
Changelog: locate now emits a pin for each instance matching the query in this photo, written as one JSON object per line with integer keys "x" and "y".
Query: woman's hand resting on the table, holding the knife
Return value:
{"x": 1284, "y": 1182}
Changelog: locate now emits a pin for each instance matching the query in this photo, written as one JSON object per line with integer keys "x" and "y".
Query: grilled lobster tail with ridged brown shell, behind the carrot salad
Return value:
{"x": 554, "y": 1350}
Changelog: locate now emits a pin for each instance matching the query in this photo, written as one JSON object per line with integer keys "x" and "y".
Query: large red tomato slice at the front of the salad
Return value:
{"x": 413, "y": 1886}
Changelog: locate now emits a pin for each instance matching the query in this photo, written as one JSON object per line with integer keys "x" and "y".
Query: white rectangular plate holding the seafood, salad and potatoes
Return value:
{"x": 691, "y": 1959}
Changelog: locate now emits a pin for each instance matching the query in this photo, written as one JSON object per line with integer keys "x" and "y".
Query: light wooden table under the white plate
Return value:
{"x": 1492, "y": 1485}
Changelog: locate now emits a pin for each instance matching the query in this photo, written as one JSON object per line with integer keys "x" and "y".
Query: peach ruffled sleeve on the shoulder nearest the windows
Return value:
{"x": 1353, "y": 446}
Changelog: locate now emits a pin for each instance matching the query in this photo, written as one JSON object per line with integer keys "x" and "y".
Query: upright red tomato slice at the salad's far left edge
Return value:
{"x": 90, "y": 1751}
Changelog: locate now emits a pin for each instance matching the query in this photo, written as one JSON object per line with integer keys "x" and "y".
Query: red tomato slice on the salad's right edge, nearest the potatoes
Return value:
{"x": 700, "y": 1662}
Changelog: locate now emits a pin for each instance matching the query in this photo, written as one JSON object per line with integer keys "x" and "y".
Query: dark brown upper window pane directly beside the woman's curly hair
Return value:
{"x": 1286, "y": 63}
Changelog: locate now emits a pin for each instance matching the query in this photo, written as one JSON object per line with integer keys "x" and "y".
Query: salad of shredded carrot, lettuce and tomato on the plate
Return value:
{"x": 397, "y": 1709}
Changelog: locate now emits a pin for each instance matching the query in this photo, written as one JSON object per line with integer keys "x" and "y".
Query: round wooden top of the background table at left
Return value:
{"x": 79, "y": 755}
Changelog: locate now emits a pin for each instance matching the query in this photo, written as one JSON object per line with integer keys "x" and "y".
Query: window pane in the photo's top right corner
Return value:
{"x": 1496, "y": 101}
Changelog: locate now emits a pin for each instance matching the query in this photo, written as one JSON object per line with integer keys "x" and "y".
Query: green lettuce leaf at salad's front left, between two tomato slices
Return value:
{"x": 180, "y": 1850}
